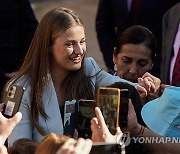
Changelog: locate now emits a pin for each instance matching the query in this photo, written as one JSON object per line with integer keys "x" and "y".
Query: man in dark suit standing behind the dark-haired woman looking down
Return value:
{"x": 114, "y": 16}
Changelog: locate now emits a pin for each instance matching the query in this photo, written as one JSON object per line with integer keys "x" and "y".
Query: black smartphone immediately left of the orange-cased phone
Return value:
{"x": 86, "y": 112}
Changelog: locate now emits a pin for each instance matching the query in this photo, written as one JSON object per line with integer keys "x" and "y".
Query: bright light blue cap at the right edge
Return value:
{"x": 162, "y": 115}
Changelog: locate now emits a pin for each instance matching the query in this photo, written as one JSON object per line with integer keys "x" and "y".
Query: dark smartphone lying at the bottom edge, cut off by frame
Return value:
{"x": 105, "y": 148}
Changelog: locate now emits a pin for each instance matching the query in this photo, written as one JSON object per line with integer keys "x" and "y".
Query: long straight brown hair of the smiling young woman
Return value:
{"x": 37, "y": 63}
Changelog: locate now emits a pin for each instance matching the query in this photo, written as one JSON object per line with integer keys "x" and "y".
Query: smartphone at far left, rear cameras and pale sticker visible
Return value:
{"x": 12, "y": 100}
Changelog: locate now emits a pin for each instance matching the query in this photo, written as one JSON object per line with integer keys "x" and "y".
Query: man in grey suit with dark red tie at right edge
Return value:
{"x": 170, "y": 72}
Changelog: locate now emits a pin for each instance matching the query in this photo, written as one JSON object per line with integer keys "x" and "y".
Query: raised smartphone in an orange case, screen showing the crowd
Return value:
{"x": 108, "y": 100}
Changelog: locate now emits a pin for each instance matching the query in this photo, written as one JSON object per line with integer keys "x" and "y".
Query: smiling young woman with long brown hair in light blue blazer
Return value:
{"x": 55, "y": 71}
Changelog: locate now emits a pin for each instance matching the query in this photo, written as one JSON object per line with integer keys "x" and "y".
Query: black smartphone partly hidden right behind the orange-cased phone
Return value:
{"x": 123, "y": 109}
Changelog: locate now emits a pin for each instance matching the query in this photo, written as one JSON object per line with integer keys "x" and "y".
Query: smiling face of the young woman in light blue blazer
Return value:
{"x": 69, "y": 49}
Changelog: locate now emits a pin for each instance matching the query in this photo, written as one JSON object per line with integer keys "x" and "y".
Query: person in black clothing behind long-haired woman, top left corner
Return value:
{"x": 18, "y": 24}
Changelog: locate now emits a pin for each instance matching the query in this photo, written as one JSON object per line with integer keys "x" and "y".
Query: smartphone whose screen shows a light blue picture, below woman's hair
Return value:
{"x": 70, "y": 117}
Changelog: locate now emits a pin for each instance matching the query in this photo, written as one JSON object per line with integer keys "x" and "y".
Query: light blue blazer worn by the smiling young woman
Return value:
{"x": 53, "y": 124}
